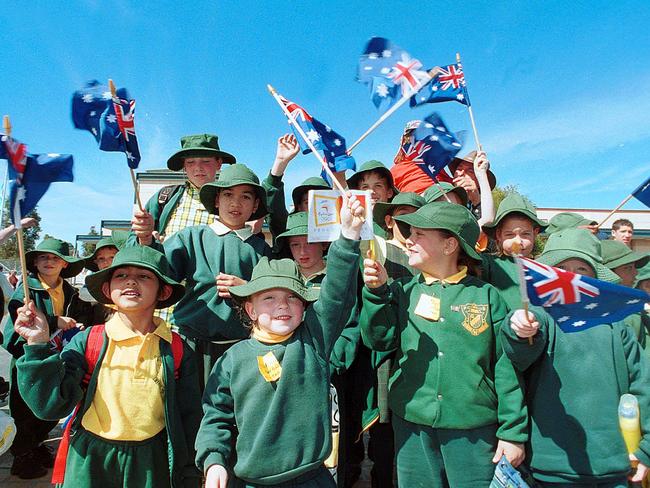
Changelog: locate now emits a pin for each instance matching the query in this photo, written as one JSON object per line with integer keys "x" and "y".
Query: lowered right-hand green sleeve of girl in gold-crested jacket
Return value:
{"x": 512, "y": 412}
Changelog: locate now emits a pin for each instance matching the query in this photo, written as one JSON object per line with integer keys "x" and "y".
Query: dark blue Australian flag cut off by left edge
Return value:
{"x": 31, "y": 175}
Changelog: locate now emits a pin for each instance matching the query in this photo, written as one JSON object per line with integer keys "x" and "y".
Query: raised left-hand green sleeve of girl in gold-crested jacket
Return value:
{"x": 379, "y": 316}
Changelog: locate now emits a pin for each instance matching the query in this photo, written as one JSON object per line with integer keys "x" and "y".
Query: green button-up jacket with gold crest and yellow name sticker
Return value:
{"x": 449, "y": 373}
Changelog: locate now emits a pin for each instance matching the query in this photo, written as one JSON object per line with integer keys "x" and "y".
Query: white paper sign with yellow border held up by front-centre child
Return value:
{"x": 324, "y": 215}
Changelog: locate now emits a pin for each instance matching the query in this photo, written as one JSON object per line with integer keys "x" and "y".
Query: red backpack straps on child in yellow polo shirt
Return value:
{"x": 94, "y": 344}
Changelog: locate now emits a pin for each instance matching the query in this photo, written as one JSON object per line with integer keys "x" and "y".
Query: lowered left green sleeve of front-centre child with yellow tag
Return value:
{"x": 215, "y": 441}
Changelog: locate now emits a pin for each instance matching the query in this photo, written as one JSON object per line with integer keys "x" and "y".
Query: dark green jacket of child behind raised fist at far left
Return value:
{"x": 73, "y": 306}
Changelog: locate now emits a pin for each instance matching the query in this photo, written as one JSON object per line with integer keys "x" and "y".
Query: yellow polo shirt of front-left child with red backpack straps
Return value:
{"x": 129, "y": 401}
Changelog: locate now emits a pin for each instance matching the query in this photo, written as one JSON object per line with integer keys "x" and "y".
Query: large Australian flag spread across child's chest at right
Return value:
{"x": 579, "y": 302}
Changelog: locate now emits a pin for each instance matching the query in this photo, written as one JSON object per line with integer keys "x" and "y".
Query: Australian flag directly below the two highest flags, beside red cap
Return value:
{"x": 431, "y": 145}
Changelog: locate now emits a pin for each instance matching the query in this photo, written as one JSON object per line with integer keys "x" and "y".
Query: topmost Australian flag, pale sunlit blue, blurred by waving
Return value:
{"x": 389, "y": 72}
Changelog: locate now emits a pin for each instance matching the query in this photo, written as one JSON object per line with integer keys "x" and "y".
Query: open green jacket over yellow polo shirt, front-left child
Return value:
{"x": 51, "y": 386}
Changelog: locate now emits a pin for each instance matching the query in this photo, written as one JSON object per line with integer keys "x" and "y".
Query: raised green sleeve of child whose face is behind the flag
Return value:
{"x": 521, "y": 353}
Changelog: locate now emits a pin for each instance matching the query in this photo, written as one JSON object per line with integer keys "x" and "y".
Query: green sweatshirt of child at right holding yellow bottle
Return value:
{"x": 574, "y": 382}
